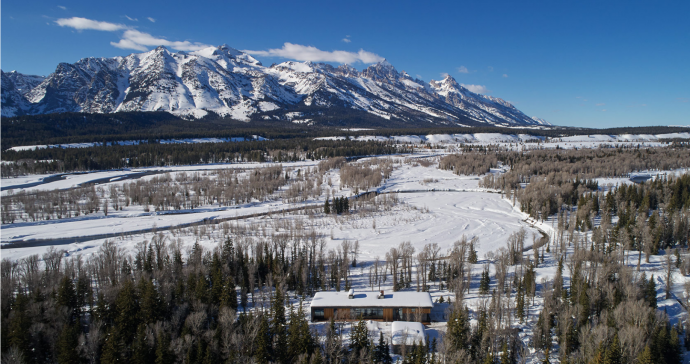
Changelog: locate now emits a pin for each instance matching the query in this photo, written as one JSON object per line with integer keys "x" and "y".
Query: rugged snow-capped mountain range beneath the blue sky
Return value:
{"x": 233, "y": 84}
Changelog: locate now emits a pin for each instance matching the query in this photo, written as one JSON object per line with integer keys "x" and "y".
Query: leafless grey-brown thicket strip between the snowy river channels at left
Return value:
{"x": 223, "y": 187}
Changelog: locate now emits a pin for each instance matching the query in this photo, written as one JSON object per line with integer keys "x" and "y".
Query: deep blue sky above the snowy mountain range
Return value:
{"x": 586, "y": 63}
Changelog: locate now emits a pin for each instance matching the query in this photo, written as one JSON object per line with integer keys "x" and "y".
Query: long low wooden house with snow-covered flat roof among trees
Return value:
{"x": 376, "y": 306}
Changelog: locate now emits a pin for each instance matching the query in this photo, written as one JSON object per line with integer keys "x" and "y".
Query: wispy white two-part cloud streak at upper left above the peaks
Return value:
{"x": 131, "y": 38}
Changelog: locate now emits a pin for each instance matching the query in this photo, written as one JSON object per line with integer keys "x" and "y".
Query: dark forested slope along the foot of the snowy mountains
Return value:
{"x": 80, "y": 127}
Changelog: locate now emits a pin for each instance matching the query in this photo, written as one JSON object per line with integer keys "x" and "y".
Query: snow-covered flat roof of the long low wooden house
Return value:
{"x": 369, "y": 299}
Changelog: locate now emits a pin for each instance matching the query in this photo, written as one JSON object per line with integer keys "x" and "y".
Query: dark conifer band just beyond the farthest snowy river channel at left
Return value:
{"x": 53, "y": 160}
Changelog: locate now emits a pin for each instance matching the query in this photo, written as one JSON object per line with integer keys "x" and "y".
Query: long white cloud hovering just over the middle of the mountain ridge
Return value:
{"x": 308, "y": 53}
